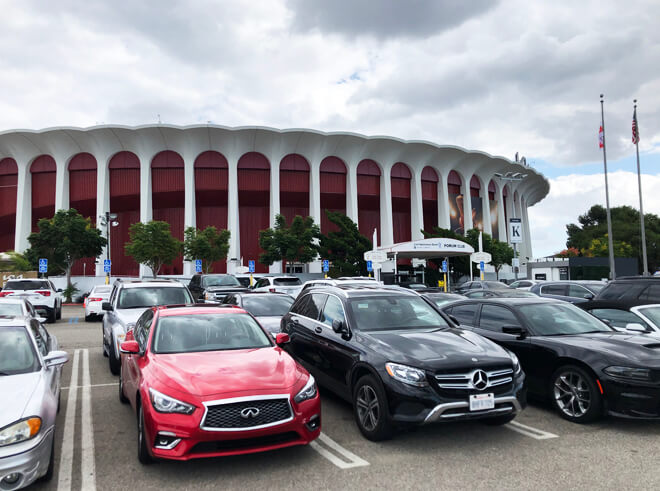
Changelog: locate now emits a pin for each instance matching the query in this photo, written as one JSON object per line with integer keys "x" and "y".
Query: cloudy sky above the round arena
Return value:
{"x": 502, "y": 77}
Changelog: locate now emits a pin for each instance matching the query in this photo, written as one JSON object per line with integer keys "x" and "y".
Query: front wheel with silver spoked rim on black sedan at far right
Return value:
{"x": 574, "y": 394}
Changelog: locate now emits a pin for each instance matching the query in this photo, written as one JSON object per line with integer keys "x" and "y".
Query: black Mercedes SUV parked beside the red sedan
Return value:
{"x": 399, "y": 361}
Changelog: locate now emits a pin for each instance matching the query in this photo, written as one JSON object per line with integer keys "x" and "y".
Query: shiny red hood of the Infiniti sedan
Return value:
{"x": 212, "y": 373}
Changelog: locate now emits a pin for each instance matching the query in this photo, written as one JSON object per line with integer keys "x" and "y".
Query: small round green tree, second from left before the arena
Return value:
{"x": 152, "y": 244}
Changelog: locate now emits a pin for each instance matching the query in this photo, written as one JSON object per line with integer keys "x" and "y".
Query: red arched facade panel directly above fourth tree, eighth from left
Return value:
{"x": 294, "y": 187}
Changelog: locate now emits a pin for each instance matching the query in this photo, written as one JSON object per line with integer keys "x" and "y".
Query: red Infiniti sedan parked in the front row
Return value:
{"x": 209, "y": 381}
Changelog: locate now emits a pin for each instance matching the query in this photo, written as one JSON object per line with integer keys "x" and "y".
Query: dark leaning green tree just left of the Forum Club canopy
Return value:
{"x": 345, "y": 248}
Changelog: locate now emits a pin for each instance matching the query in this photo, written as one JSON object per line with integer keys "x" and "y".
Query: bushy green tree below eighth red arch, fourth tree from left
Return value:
{"x": 295, "y": 243}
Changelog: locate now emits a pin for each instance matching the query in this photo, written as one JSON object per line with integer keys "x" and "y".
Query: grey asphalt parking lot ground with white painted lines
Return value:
{"x": 97, "y": 439}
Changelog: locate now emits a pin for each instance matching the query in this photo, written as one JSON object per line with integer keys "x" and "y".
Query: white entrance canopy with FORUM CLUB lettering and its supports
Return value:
{"x": 423, "y": 249}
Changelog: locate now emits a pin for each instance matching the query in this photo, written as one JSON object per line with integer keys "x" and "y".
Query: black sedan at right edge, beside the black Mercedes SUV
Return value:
{"x": 584, "y": 367}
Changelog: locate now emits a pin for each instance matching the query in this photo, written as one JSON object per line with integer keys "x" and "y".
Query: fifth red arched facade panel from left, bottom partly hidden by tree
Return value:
{"x": 168, "y": 198}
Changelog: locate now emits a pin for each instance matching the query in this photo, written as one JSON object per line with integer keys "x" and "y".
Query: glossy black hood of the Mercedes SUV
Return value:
{"x": 439, "y": 349}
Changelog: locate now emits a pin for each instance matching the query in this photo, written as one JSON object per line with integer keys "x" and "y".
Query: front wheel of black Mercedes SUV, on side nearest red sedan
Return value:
{"x": 370, "y": 409}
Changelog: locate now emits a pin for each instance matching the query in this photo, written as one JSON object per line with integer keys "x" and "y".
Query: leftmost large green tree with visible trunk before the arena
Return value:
{"x": 64, "y": 239}
